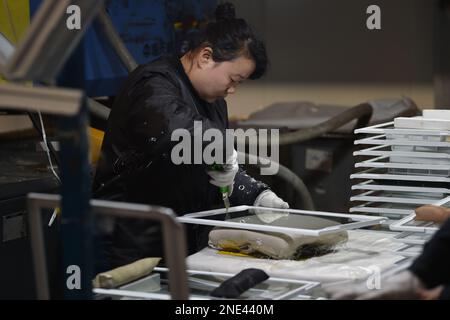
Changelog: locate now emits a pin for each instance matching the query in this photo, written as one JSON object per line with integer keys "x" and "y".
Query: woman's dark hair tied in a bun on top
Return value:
{"x": 231, "y": 38}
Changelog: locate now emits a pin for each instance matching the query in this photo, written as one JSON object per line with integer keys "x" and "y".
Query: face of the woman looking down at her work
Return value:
{"x": 215, "y": 80}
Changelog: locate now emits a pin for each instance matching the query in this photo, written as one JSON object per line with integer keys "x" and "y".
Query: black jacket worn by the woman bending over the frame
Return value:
{"x": 135, "y": 163}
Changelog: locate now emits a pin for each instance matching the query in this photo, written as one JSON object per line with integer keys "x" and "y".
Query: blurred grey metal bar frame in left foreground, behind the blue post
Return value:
{"x": 173, "y": 233}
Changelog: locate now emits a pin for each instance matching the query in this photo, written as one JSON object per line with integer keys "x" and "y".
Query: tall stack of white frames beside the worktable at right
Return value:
{"x": 406, "y": 164}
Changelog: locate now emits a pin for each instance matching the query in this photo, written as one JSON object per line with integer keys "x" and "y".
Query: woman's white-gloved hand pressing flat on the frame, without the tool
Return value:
{"x": 269, "y": 199}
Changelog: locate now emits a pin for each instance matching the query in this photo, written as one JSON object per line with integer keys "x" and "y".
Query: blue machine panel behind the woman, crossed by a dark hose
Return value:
{"x": 148, "y": 28}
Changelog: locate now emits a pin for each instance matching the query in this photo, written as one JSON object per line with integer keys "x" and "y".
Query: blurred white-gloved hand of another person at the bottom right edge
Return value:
{"x": 404, "y": 285}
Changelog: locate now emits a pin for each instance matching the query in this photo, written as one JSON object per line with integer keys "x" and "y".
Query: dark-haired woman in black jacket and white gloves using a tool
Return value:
{"x": 158, "y": 98}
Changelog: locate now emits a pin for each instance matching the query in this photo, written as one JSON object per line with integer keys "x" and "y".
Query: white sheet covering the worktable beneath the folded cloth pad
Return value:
{"x": 356, "y": 260}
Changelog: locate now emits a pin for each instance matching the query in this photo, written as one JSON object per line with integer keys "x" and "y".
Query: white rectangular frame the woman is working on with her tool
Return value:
{"x": 362, "y": 220}
